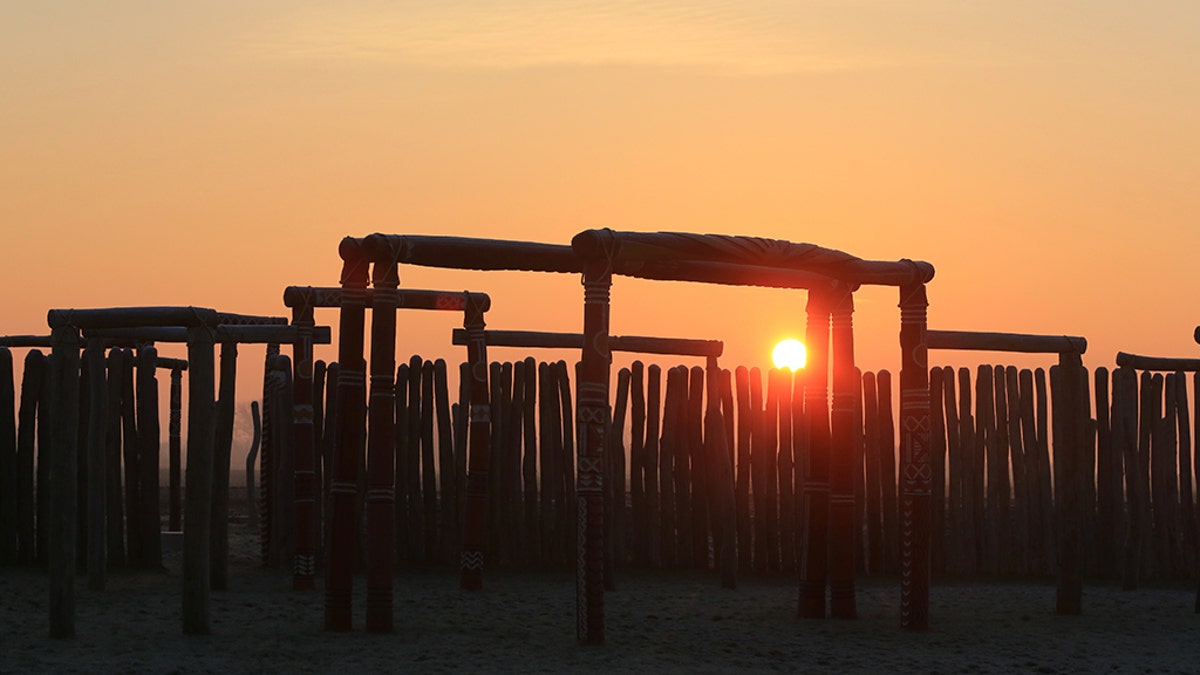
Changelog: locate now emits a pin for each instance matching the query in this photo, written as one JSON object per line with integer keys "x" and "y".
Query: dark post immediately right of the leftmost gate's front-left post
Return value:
{"x": 98, "y": 493}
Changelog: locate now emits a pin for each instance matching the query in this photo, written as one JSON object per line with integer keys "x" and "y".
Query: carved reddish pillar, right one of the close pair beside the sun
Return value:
{"x": 842, "y": 471}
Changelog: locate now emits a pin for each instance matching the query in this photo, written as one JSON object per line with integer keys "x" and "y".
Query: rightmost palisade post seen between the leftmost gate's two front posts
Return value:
{"x": 148, "y": 458}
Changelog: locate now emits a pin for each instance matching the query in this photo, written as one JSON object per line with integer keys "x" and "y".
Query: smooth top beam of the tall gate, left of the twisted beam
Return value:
{"x": 466, "y": 253}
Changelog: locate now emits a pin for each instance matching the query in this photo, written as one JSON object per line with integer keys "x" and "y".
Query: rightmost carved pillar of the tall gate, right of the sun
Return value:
{"x": 916, "y": 464}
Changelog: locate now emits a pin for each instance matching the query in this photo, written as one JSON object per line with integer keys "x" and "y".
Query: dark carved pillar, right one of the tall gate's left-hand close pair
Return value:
{"x": 382, "y": 450}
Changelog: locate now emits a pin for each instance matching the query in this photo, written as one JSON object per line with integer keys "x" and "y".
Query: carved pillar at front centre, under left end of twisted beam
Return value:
{"x": 592, "y": 420}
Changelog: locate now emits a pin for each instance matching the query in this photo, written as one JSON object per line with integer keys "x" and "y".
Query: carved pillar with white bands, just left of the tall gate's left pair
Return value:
{"x": 304, "y": 445}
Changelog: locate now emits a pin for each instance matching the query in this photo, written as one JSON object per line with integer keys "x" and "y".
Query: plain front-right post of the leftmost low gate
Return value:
{"x": 199, "y": 491}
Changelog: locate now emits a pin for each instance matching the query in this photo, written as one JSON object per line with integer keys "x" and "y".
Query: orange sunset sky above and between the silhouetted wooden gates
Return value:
{"x": 1043, "y": 157}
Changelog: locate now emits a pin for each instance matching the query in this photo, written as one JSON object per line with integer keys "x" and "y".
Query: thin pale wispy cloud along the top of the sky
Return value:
{"x": 760, "y": 38}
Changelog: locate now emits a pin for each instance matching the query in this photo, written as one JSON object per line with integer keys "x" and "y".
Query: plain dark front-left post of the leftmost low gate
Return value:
{"x": 64, "y": 450}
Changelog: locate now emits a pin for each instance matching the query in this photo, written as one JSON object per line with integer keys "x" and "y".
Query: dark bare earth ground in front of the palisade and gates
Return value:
{"x": 525, "y": 623}
